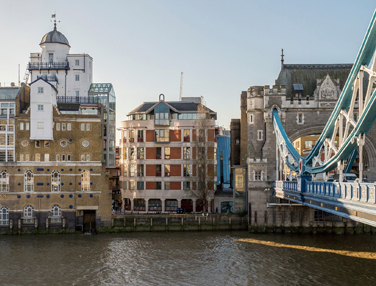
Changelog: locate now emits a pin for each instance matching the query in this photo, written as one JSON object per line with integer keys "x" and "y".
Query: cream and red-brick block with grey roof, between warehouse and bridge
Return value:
{"x": 159, "y": 148}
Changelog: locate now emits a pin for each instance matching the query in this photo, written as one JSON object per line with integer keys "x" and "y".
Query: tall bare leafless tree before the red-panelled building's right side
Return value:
{"x": 203, "y": 176}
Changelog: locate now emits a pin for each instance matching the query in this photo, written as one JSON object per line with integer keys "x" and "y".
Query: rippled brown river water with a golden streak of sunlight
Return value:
{"x": 188, "y": 258}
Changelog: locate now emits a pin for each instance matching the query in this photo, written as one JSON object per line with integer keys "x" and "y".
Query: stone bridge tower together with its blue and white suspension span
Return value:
{"x": 335, "y": 104}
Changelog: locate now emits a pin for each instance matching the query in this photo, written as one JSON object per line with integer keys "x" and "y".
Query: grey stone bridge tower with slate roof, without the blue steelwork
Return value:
{"x": 304, "y": 96}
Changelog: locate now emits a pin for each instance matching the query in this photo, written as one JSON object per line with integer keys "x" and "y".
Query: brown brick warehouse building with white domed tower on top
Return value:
{"x": 51, "y": 151}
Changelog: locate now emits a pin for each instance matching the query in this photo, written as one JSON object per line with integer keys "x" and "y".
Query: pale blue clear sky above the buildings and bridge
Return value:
{"x": 222, "y": 47}
